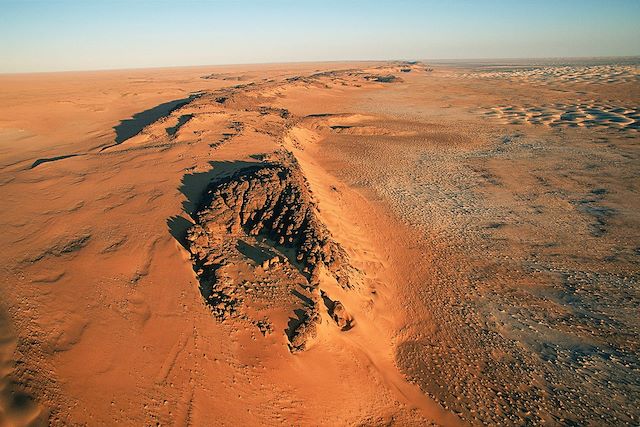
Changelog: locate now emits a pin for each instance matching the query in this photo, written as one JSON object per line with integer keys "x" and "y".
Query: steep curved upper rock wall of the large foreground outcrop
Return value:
{"x": 272, "y": 200}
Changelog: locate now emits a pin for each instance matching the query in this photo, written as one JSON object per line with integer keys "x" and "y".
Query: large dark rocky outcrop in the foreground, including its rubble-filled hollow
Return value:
{"x": 257, "y": 235}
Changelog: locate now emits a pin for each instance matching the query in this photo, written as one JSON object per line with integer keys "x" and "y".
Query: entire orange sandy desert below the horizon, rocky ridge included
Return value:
{"x": 366, "y": 243}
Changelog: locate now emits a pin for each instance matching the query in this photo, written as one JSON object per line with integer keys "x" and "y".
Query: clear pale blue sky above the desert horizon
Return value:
{"x": 61, "y": 35}
